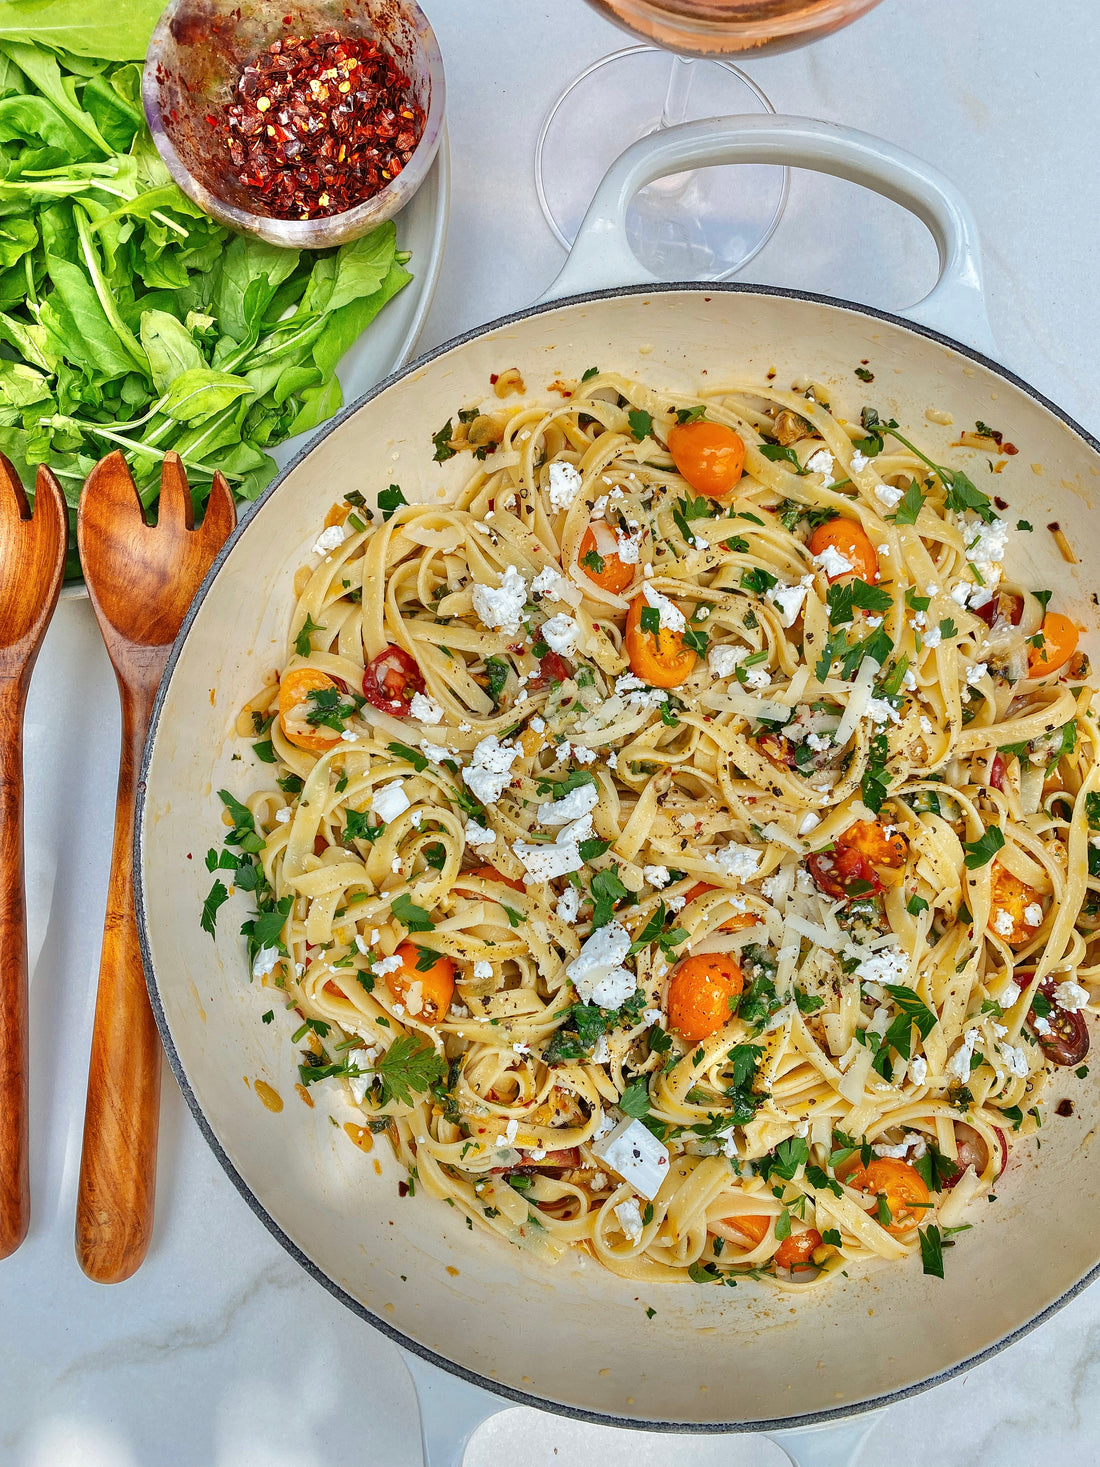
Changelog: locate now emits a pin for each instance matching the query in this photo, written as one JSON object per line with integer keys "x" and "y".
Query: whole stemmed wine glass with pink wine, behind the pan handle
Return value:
{"x": 706, "y": 224}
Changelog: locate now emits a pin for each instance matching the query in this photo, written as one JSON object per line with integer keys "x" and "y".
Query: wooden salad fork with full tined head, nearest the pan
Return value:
{"x": 142, "y": 580}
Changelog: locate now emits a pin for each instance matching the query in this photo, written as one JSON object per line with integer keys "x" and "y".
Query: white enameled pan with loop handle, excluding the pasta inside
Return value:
{"x": 574, "y": 1339}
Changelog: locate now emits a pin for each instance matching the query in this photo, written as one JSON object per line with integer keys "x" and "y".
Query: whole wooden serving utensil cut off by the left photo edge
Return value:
{"x": 32, "y": 567}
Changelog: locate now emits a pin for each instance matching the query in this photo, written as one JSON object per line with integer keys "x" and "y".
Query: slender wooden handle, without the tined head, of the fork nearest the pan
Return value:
{"x": 122, "y": 1114}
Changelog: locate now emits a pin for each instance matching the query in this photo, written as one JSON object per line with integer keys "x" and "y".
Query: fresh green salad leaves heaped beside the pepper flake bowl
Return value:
{"x": 128, "y": 319}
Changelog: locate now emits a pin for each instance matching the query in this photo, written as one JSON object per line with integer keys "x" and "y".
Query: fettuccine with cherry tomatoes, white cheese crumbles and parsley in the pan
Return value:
{"x": 681, "y": 846}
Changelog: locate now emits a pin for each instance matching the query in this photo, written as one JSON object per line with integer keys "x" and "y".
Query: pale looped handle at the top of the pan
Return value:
{"x": 602, "y": 256}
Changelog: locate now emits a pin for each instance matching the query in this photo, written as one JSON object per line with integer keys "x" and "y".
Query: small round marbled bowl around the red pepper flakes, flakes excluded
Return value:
{"x": 196, "y": 55}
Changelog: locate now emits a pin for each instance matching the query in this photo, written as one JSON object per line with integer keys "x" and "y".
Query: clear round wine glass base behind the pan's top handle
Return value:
{"x": 705, "y": 225}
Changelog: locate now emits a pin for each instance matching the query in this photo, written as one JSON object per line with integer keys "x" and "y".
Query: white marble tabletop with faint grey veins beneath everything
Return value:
{"x": 222, "y": 1350}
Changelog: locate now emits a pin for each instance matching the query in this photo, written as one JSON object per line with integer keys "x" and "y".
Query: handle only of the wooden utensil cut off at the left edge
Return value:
{"x": 15, "y": 1210}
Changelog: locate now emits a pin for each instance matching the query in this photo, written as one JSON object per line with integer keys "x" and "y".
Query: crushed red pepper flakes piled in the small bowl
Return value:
{"x": 319, "y": 124}
